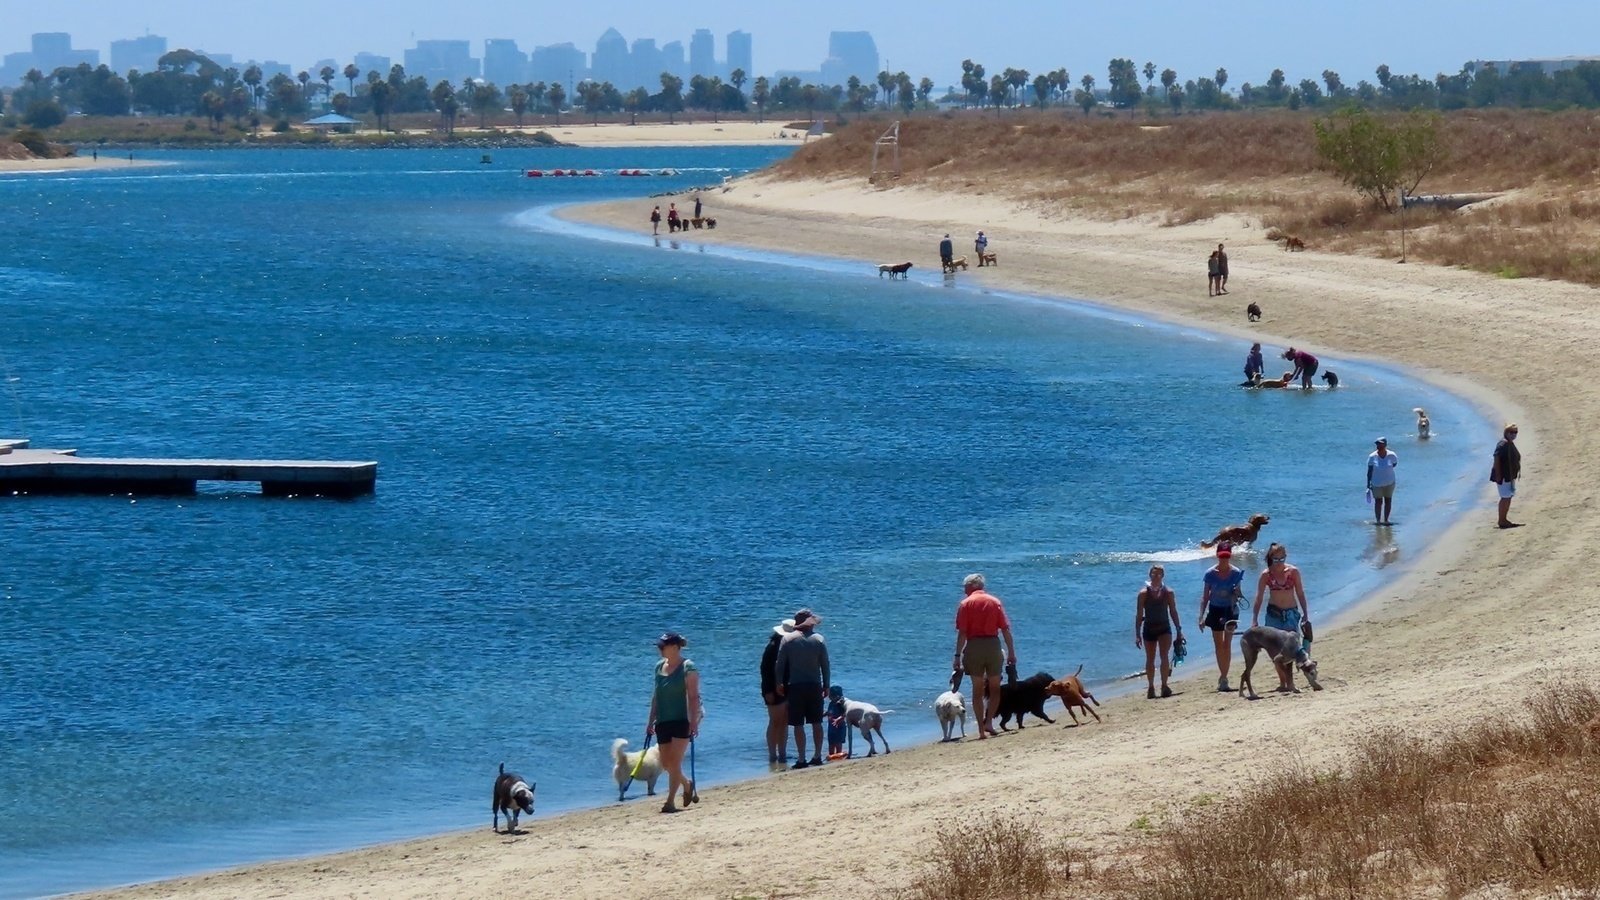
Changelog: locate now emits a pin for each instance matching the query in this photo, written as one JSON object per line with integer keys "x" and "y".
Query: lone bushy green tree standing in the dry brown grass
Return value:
{"x": 1382, "y": 159}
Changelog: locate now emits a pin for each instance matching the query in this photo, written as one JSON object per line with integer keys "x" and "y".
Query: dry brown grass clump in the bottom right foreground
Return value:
{"x": 1510, "y": 805}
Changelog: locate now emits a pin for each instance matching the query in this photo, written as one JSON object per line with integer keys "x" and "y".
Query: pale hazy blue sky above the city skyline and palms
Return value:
{"x": 1250, "y": 38}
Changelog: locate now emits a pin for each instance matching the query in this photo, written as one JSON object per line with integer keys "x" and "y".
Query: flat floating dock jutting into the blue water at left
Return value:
{"x": 63, "y": 472}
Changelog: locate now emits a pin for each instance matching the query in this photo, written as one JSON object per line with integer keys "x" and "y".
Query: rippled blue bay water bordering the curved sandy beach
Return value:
{"x": 583, "y": 440}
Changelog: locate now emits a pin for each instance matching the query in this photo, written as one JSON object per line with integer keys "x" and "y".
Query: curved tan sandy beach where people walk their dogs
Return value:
{"x": 1474, "y": 625}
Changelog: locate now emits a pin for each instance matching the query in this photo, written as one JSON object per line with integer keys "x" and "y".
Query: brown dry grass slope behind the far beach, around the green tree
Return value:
{"x": 1265, "y": 167}
